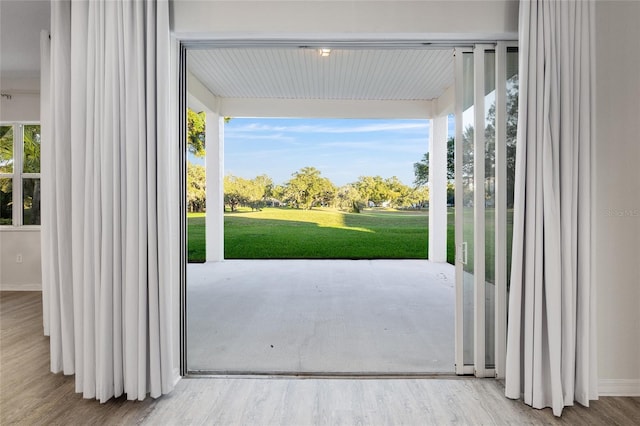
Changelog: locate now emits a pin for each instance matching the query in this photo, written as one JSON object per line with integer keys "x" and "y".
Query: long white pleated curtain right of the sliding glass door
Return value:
{"x": 551, "y": 345}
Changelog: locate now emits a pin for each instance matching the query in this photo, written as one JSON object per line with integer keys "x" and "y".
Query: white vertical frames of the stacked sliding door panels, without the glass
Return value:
{"x": 478, "y": 368}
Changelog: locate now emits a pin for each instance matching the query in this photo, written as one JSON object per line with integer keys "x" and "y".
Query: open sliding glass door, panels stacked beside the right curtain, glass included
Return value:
{"x": 481, "y": 183}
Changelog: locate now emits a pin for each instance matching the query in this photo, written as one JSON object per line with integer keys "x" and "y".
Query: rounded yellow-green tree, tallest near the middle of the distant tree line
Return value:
{"x": 307, "y": 188}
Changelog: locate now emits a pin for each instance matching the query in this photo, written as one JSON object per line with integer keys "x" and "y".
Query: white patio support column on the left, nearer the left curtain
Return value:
{"x": 214, "y": 139}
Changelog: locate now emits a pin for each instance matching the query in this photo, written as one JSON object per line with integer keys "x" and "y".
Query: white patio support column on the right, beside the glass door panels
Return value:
{"x": 438, "y": 190}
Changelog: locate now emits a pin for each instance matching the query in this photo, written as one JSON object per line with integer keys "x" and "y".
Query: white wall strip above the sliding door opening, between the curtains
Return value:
{"x": 438, "y": 19}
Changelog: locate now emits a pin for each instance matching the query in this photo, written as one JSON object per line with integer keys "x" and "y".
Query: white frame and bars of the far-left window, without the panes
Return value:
{"x": 17, "y": 176}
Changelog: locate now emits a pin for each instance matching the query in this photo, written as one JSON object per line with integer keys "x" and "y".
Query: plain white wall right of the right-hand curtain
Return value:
{"x": 617, "y": 194}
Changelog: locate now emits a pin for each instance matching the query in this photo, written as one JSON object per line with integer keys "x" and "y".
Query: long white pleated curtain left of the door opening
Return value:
{"x": 110, "y": 211}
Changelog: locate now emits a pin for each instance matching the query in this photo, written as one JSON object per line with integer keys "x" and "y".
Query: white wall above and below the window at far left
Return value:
{"x": 24, "y": 105}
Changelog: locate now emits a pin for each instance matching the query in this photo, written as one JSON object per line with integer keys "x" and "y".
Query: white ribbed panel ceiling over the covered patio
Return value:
{"x": 346, "y": 74}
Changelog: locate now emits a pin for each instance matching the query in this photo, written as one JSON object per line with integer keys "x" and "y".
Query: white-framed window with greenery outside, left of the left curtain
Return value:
{"x": 19, "y": 174}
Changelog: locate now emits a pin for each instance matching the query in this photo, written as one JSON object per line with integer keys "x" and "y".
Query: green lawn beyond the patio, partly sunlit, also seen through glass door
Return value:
{"x": 283, "y": 233}
